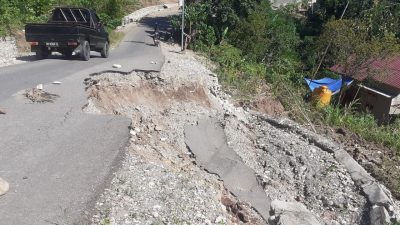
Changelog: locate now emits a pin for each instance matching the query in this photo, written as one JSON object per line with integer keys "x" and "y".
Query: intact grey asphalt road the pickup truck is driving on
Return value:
{"x": 57, "y": 158}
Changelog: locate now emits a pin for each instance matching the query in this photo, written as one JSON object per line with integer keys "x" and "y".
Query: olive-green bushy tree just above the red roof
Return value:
{"x": 353, "y": 46}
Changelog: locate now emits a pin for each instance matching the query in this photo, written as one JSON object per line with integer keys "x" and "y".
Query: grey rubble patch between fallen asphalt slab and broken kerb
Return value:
{"x": 294, "y": 170}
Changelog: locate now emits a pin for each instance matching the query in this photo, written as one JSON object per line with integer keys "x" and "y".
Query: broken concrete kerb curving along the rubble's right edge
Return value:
{"x": 382, "y": 207}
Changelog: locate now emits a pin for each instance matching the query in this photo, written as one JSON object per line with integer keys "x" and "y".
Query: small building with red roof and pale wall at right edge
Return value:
{"x": 377, "y": 87}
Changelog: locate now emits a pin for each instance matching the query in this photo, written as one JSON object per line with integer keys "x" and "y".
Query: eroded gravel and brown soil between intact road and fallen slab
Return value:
{"x": 159, "y": 182}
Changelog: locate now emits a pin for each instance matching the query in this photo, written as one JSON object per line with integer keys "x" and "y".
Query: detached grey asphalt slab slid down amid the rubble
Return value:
{"x": 208, "y": 143}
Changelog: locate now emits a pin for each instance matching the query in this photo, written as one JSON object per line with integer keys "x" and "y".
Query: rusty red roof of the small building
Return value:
{"x": 386, "y": 71}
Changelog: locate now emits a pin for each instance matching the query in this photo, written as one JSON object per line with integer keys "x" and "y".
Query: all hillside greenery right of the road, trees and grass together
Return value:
{"x": 255, "y": 45}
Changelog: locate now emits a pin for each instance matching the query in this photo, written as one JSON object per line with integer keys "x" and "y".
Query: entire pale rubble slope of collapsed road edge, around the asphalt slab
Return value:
{"x": 308, "y": 178}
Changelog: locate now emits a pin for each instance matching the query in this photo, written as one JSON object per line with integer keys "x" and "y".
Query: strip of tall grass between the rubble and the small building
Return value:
{"x": 243, "y": 78}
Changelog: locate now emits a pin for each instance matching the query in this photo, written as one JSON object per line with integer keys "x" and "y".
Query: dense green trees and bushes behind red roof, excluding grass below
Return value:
{"x": 243, "y": 34}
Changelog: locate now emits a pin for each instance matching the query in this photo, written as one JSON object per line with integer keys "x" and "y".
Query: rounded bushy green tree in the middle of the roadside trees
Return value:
{"x": 267, "y": 36}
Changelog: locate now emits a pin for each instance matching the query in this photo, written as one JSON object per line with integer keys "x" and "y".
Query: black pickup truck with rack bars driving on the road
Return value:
{"x": 69, "y": 30}
